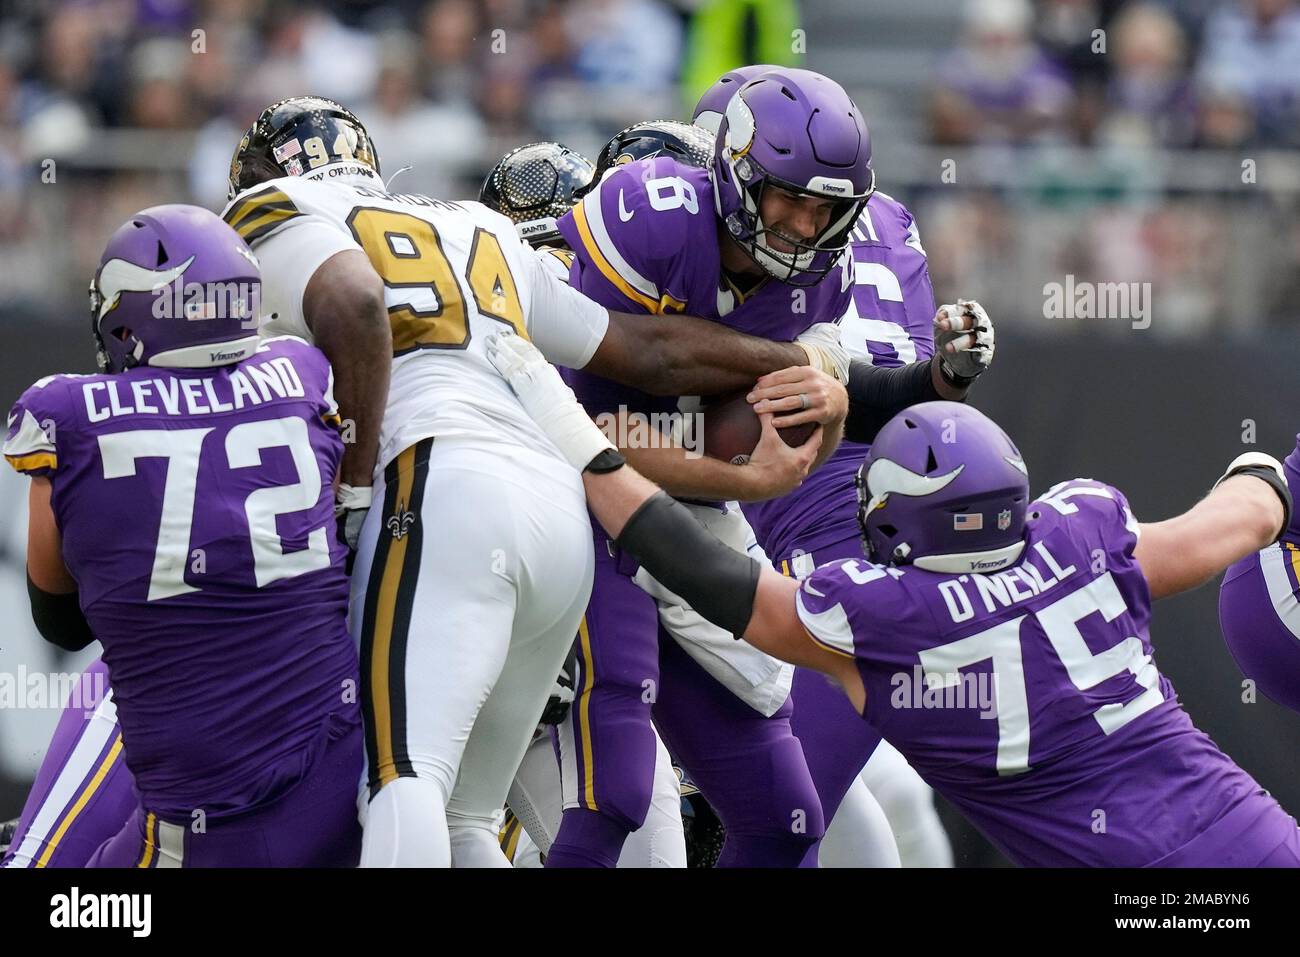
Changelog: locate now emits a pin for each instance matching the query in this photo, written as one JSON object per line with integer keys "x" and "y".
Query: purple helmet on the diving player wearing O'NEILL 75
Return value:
{"x": 943, "y": 490}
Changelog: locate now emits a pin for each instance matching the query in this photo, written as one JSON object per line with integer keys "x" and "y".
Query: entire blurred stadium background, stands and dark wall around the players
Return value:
{"x": 1030, "y": 146}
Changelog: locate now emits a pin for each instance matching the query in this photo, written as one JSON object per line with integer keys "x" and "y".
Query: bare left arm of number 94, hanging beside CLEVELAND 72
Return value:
{"x": 344, "y": 306}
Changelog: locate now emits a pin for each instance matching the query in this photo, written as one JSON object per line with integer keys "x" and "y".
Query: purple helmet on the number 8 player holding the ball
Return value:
{"x": 799, "y": 132}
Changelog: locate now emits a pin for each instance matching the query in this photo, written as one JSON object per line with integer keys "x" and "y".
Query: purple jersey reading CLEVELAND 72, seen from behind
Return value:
{"x": 197, "y": 518}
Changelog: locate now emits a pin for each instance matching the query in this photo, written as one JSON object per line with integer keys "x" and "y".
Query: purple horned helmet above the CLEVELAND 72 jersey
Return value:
{"x": 176, "y": 288}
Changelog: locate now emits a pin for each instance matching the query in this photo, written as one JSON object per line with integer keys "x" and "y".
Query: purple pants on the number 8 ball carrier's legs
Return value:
{"x": 749, "y": 768}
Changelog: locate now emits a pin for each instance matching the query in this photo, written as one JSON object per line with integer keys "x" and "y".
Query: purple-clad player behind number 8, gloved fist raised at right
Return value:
{"x": 890, "y": 324}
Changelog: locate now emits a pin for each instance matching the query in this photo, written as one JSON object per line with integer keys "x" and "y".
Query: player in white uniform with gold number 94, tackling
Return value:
{"x": 462, "y": 609}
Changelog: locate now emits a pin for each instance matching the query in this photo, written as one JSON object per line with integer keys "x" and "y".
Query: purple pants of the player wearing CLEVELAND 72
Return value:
{"x": 311, "y": 825}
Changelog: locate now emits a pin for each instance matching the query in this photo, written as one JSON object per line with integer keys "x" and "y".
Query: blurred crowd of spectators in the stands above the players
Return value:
{"x": 1095, "y": 124}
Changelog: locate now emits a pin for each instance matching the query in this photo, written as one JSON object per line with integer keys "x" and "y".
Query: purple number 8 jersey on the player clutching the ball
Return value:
{"x": 647, "y": 241}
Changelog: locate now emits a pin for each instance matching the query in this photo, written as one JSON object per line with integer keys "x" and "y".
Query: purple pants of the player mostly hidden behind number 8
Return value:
{"x": 837, "y": 742}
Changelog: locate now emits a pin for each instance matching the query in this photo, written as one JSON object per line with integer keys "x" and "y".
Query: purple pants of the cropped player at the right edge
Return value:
{"x": 1260, "y": 617}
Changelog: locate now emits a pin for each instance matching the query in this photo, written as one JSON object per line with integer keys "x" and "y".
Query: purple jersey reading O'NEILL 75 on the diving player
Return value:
{"x": 1030, "y": 700}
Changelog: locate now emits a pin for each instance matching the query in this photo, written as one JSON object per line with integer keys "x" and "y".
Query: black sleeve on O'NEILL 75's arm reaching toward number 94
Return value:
{"x": 716, "y": 581}
